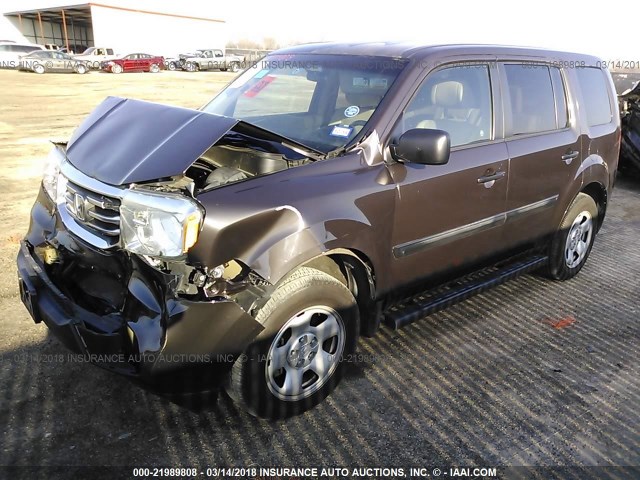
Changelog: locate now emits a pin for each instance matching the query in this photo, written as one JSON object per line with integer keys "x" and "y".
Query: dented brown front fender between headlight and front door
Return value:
{"x": 340, "y": 203}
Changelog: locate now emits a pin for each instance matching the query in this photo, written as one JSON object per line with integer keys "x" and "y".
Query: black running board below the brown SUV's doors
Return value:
{"x": 432, "y": 301}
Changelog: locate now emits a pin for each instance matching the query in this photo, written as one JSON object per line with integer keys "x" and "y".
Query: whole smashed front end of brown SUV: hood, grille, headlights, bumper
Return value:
{"x": 106, "y": 263}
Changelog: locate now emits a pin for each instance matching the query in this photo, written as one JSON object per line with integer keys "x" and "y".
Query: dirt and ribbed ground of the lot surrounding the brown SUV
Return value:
{"x": 531, "y": 373}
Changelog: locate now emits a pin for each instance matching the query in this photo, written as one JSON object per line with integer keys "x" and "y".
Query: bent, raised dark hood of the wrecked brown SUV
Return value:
{"x": 126, "y": 141}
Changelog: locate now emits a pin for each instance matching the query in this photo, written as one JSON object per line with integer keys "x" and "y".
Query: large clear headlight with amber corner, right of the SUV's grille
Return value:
{"x": 159, "y": 225}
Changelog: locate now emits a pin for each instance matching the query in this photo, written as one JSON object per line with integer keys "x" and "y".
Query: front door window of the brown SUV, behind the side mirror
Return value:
{"x": 456, "y": 100}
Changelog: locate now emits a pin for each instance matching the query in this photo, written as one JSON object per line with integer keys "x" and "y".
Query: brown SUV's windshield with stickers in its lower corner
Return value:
{"x": 321, "y": 101}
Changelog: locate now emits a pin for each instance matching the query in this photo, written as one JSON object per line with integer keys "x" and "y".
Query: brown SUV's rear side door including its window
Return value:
{"x": 543, "y": 140}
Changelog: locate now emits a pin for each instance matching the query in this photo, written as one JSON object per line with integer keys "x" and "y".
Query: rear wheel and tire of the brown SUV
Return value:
{"x": 574, "y": 239}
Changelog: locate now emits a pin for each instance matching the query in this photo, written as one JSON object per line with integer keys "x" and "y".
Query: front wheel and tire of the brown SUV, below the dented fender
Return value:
{"x": 277, "y": 377}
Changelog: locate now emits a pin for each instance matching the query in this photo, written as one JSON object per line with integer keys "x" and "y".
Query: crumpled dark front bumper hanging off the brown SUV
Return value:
{"x": 155, "y": 333}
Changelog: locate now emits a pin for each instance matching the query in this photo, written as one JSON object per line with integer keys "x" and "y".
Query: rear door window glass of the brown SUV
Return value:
{"x": 533, "y": 106}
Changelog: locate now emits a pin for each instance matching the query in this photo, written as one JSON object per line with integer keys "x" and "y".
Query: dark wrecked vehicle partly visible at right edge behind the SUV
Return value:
{"x": 628, "y": 88}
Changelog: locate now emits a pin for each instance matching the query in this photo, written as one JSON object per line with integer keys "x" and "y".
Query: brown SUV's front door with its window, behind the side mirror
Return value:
{"x": 450, "y": 216}
